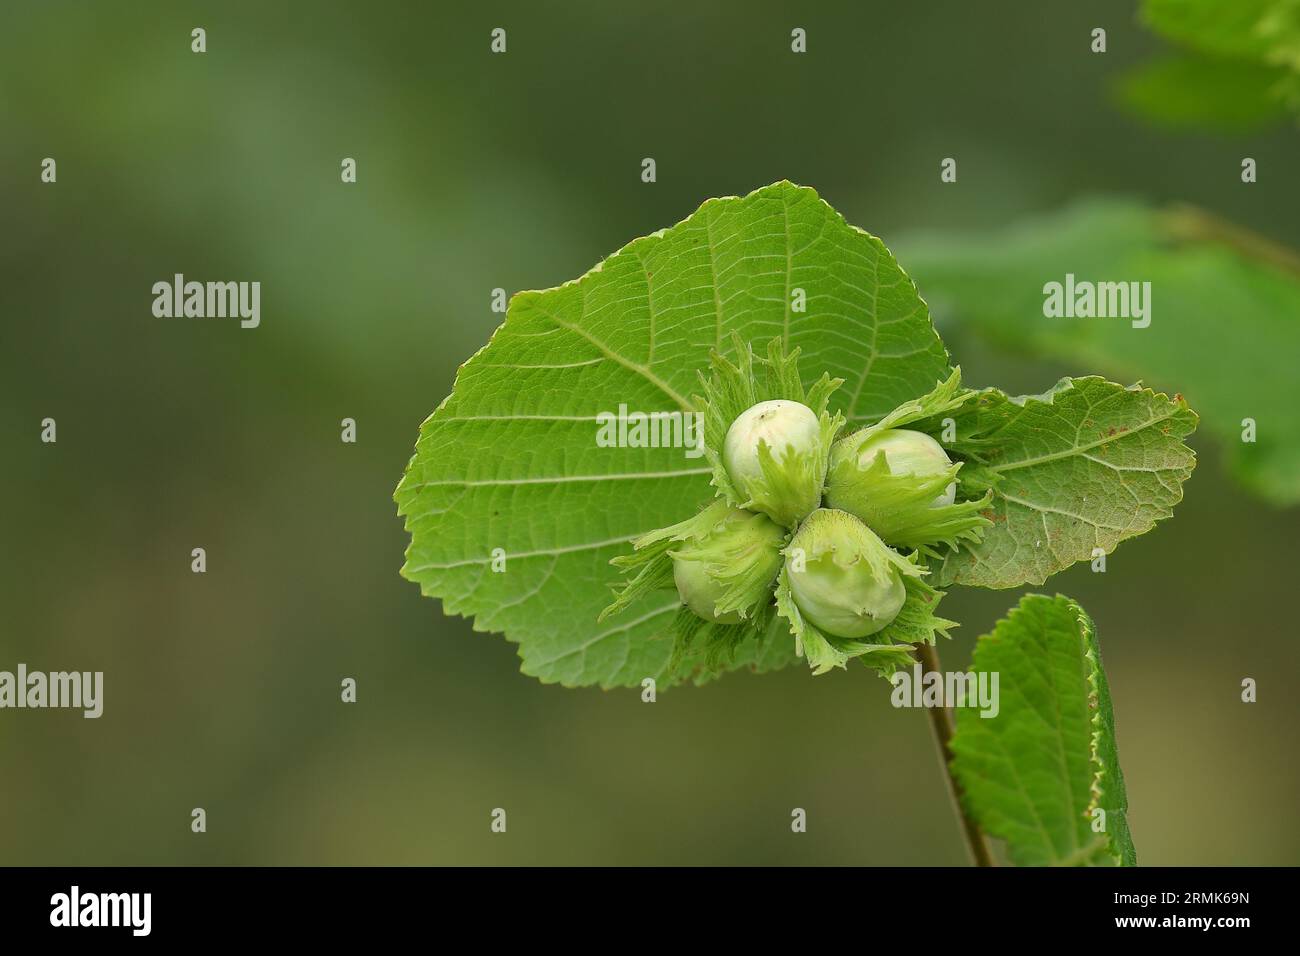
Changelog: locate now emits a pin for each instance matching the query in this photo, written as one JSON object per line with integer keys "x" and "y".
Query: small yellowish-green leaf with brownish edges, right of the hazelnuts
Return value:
{"x": 1081, "y": 468}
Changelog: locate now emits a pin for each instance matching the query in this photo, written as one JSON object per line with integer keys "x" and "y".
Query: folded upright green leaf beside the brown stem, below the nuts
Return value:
{"x": 1035, "y": 773}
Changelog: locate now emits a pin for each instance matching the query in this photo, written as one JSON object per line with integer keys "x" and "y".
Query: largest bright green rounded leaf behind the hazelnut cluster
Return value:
{"x": 510, "y": 460}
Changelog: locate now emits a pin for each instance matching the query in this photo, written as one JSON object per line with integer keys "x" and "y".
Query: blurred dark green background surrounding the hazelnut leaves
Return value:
{"x": 522, "y": 171}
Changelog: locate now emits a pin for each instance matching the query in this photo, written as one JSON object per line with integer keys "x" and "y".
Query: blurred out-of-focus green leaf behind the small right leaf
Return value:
{"x": 1225, "y": 322}
